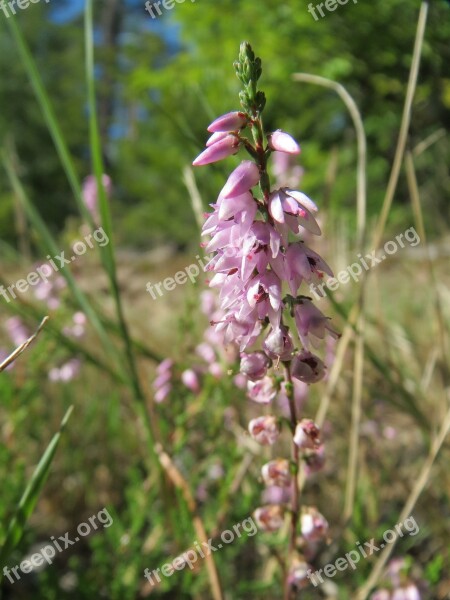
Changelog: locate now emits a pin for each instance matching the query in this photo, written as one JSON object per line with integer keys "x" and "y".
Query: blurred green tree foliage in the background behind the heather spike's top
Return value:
{"x": 162, "y": 82}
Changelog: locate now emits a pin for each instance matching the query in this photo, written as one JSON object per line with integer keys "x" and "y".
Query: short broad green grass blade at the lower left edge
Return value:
{"x": 30, "y": 496}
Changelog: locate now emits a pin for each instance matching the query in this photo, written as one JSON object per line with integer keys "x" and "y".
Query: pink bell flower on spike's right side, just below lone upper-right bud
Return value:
{"x": 294, "y": 210}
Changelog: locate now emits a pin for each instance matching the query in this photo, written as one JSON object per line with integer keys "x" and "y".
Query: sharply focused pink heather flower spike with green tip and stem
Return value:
{"x": 259, "y": 257}
